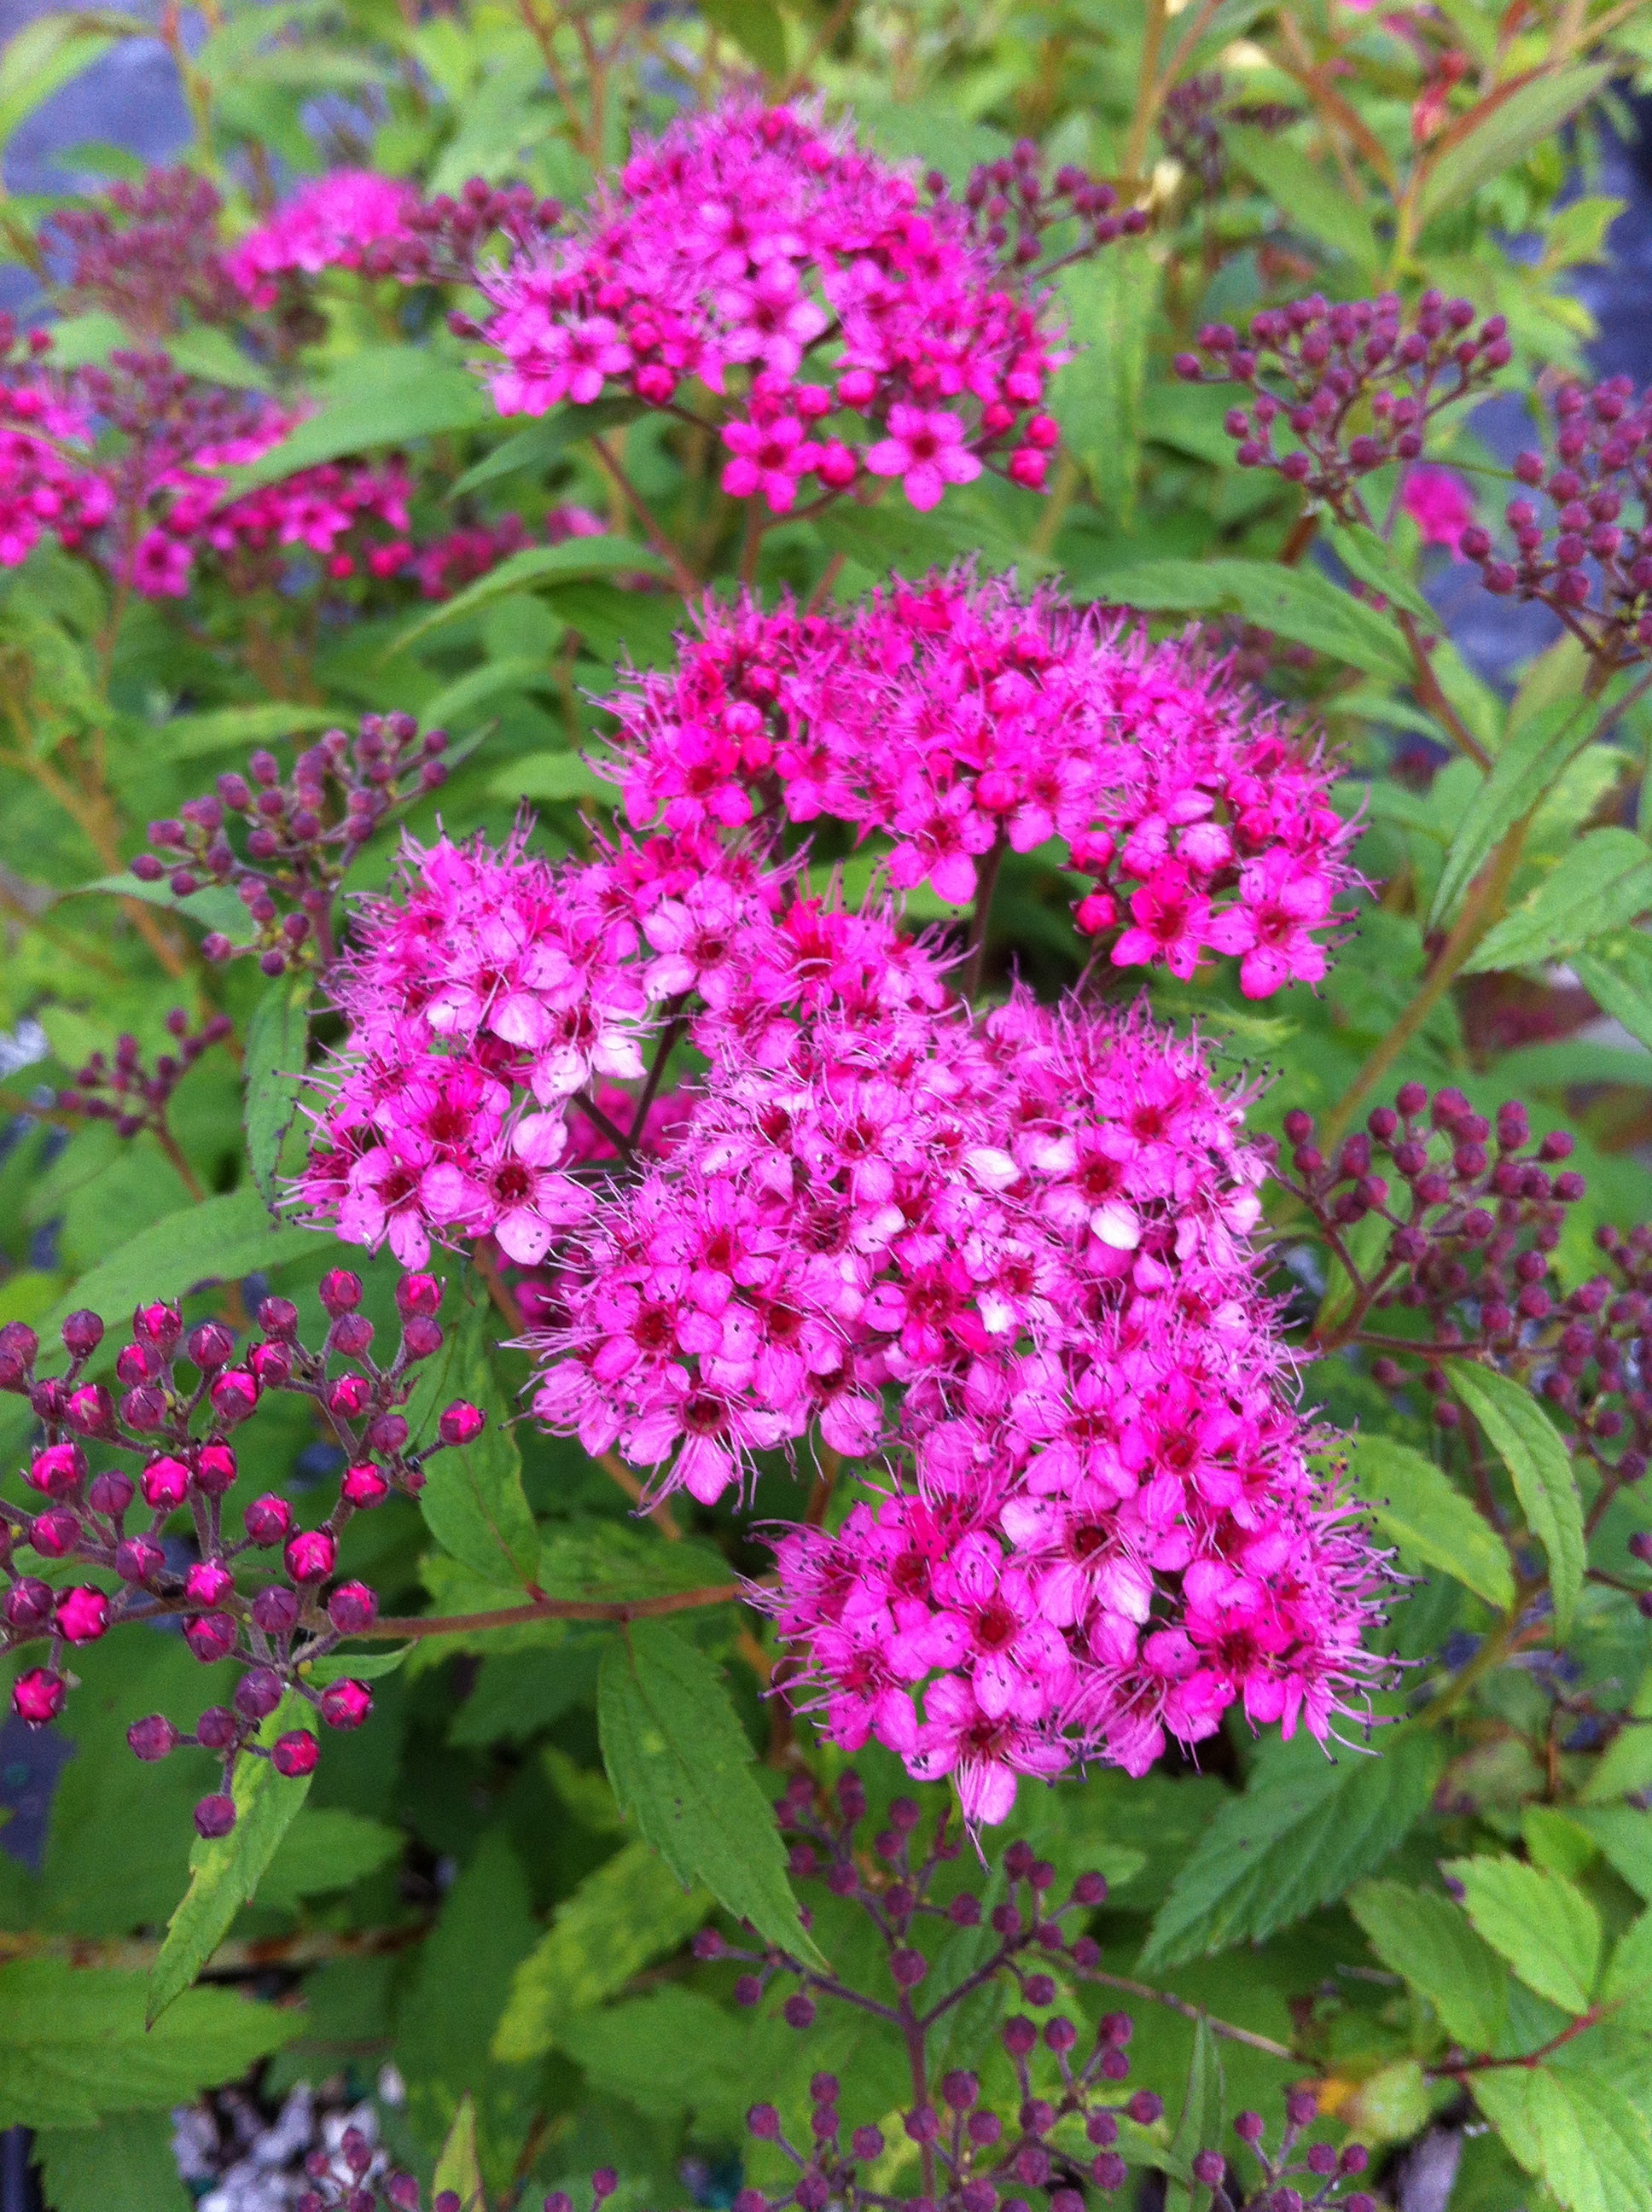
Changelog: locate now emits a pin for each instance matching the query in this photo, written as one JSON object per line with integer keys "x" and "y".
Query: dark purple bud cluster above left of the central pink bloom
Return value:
{"x": 302, "y": 835}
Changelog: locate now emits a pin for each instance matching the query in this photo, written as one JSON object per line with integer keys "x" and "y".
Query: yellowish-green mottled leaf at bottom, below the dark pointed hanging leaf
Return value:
{"x": 623, "y": 1917}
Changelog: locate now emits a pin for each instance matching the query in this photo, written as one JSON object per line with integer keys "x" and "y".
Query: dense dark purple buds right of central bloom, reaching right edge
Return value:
{"x": 1470, "y": 1266}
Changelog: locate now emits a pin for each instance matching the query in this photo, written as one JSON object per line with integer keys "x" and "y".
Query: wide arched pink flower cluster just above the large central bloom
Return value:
{"x": 961, "y": 720}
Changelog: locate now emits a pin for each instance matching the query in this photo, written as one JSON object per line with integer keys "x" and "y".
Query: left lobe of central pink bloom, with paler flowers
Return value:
{"x": 490, "y": 994}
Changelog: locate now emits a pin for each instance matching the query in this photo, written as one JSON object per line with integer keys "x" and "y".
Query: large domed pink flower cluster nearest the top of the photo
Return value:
{"x": 872, "y": 324}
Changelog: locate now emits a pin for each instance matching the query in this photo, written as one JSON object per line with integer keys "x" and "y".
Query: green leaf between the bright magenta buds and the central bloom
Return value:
{"x": 472, "y": 1501}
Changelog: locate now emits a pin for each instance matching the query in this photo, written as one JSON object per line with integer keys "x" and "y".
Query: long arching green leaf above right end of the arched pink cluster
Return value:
{"x": 1293, "y": 603}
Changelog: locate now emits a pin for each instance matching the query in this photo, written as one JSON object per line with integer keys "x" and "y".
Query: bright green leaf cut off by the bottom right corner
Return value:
{"x": 1578, "y": 2131}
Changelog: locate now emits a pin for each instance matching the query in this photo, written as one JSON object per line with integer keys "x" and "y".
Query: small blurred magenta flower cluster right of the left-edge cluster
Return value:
{"x": 331, "y": 512}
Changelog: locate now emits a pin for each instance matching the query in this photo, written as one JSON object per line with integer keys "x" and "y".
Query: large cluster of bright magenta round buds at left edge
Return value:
{"x": 156, "y": 1527}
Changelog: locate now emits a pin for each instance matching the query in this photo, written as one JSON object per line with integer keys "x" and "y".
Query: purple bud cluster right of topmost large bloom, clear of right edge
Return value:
{"x": 1355, "y": 384}
